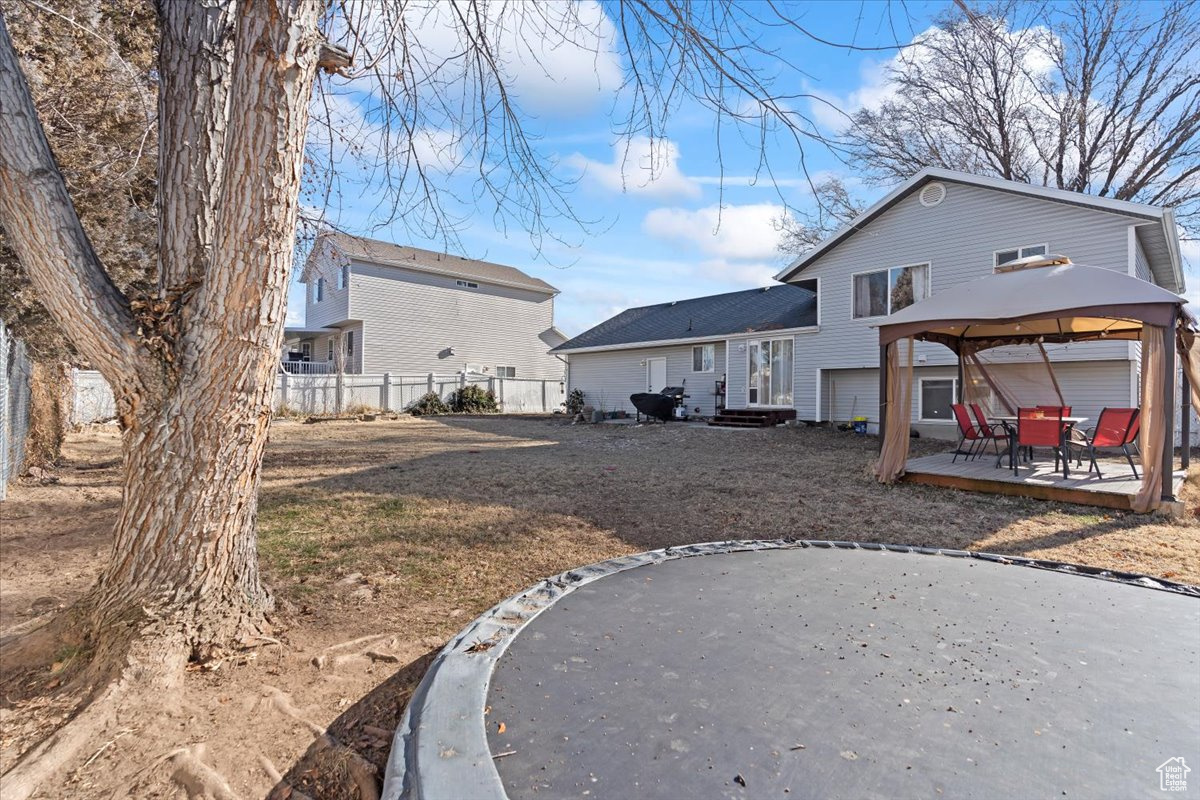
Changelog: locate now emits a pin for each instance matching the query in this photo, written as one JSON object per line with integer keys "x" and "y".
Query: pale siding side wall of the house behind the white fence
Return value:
{"x": 412, "y": 318}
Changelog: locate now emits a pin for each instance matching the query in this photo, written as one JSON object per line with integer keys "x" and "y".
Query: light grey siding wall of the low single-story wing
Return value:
{"x": 610, "y": 377}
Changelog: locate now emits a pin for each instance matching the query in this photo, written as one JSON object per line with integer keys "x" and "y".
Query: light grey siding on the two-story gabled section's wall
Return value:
{"x": 958, "y": 240}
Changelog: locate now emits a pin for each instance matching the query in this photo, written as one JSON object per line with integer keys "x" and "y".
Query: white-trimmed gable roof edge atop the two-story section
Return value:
{"x": 1162, "y": 240}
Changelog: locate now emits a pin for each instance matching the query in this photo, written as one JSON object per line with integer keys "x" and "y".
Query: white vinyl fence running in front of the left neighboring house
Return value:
{"x": 397, "y": 393}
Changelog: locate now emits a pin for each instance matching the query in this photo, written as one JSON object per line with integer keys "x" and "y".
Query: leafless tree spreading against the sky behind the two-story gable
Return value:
{"x": 1101, "y": 98}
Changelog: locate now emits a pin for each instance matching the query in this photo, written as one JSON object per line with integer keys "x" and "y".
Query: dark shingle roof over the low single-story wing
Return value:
{"x": 770, "y": 309}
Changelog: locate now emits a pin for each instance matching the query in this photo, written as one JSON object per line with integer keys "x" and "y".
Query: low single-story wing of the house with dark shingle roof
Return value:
{"x": 686, "y": 344}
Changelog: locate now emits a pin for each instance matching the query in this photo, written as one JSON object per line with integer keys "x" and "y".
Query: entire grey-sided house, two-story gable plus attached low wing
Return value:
{"x": 938, "y": 230}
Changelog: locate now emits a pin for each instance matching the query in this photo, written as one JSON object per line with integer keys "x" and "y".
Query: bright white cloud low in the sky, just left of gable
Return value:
{"x": 735, "y": 233}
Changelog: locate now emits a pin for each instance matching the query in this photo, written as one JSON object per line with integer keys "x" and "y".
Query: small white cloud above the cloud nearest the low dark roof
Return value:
{"x": 640, "y": 166}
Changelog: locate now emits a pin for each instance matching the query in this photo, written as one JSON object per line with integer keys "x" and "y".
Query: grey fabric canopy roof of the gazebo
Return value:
{"x": 1036, "y": 299}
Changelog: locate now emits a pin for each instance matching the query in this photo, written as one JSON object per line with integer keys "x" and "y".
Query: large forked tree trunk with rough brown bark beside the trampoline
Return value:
{"x": 194, "y": 369}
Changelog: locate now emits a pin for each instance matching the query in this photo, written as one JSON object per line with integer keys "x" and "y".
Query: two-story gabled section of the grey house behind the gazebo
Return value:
{"x": 940, "y": 230}
